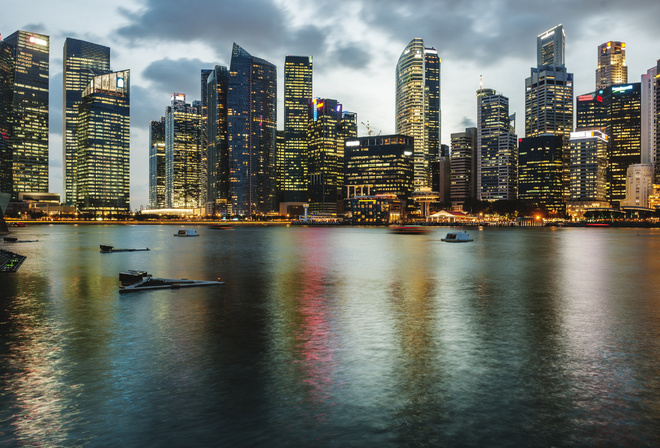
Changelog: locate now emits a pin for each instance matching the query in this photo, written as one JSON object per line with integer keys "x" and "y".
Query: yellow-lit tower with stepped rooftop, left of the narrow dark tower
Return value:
{"x": 183, "y": 155}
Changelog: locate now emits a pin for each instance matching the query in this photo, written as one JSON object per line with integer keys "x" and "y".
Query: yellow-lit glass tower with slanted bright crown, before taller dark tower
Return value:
{"x": 103, "y": 152}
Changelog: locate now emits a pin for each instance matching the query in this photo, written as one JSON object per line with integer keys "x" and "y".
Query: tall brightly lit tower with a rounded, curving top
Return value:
{"x": 418, "y": 104}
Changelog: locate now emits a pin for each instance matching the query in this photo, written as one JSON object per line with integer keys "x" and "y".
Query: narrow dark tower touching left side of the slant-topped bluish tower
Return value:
{"x": 218, "y": 144}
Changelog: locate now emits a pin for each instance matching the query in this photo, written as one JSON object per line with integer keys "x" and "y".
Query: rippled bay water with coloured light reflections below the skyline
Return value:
{"x": 333, "y": 337}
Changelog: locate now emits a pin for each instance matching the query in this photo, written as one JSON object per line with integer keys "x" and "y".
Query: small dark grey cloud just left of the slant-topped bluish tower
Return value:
{"x": 181, "y": 75}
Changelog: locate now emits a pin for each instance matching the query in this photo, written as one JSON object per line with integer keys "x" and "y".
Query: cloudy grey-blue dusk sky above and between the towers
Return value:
{"x": 355, "y": 46}
